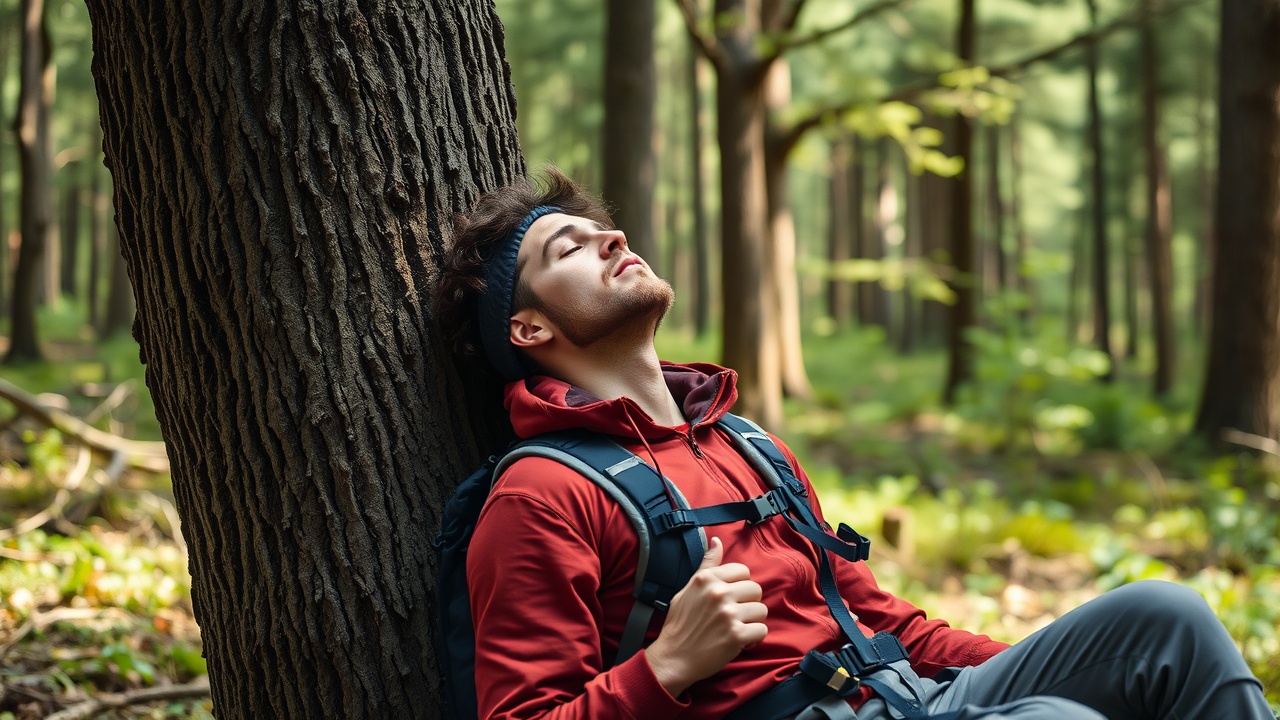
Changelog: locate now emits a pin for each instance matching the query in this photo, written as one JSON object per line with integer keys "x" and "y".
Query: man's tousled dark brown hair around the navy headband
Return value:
{"x": 479, "y": 233}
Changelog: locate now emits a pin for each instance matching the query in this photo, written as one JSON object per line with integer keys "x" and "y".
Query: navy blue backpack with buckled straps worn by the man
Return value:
{"x": 671, "y": 546}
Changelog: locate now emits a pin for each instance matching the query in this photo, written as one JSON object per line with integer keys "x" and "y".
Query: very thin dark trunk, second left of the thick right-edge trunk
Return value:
{"x": 1099, "y": 211}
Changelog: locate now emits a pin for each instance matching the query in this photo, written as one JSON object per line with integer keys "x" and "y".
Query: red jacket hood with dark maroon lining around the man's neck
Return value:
{"x": 541, "y": 404}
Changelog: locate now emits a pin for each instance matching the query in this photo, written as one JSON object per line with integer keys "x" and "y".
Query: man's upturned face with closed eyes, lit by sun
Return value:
{"x": 587, "y": 282}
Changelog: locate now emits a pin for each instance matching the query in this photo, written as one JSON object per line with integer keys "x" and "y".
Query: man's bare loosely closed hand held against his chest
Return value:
{"x": 711, "y": 621}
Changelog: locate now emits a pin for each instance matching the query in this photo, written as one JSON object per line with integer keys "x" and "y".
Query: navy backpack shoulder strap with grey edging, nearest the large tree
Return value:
{"x": 666, "y": 560}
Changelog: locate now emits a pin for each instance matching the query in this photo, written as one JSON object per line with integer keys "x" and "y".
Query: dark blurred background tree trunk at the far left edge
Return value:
{"x": 36, "y": 207}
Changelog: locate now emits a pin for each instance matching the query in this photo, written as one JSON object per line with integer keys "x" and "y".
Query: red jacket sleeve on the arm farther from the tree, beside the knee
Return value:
{"x": 934, "y": 645}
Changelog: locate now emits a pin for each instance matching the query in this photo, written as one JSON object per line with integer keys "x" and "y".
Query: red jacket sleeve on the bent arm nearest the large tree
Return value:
{"x": 534, "y": 575}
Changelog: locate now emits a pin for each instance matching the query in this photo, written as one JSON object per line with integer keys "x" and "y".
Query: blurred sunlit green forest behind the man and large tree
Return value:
{"x": 967, "y": 275}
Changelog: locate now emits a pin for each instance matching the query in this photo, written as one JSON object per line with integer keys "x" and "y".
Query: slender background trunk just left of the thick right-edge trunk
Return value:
{"x": 1159, "y": 212}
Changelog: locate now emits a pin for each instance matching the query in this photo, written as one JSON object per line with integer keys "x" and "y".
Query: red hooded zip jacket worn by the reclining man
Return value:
{"x": 554, "y": 559}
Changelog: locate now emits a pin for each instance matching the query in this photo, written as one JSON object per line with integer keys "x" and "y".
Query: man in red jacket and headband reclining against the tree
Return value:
{"x": 545, "y": 286}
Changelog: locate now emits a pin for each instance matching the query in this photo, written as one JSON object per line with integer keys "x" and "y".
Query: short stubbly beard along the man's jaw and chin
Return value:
{"x": 624, "y": 315}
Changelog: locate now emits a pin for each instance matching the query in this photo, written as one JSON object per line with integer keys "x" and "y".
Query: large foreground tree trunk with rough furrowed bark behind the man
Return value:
{"x": 285, "y": 177}
